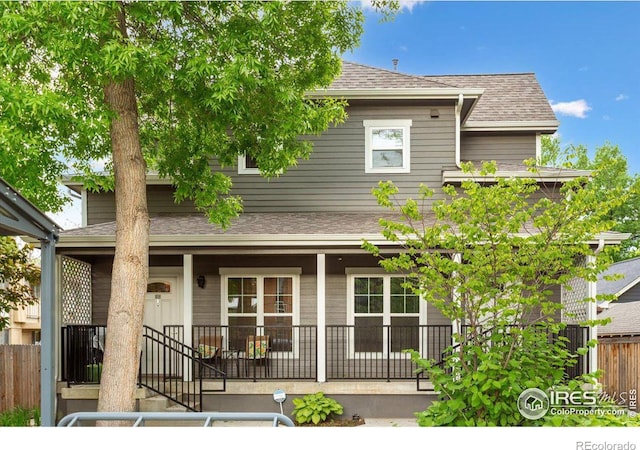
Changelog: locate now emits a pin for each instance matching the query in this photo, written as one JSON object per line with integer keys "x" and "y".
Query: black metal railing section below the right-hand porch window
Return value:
{"x": 377, "y": 352}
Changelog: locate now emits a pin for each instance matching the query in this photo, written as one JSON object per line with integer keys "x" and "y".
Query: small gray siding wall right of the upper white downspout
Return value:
{"x": 510, "y": 148}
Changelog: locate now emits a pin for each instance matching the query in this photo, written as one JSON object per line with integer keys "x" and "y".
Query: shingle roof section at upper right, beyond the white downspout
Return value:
{"x": 507, "y": 97}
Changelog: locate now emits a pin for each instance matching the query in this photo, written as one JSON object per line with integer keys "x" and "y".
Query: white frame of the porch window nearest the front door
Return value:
{"x": 260, "y": 274}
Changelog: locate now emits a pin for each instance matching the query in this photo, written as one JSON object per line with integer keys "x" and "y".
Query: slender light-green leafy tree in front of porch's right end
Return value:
{"x": 488, "y": 257}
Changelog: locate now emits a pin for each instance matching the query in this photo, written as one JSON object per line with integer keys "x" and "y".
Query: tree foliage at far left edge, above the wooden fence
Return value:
{"x": 18, "y": 274}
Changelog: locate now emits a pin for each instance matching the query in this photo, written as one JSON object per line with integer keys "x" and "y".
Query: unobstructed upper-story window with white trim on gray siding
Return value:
{"x": 387, "y": 146}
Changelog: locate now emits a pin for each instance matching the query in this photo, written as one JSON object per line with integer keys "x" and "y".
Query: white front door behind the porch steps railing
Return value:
{"x": 163, "y": 306}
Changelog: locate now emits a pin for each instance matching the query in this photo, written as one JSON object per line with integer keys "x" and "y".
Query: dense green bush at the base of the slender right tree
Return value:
{"x": 479, "y": 384}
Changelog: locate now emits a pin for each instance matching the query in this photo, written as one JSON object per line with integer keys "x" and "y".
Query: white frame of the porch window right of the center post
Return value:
{"x": 352, "y": 274}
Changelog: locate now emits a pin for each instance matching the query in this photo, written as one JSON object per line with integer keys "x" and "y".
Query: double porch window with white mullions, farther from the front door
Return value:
{"x": 385, "y": 313}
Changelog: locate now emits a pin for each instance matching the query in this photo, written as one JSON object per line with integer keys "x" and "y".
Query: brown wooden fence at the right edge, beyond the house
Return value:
{"x": 619, "y": 359}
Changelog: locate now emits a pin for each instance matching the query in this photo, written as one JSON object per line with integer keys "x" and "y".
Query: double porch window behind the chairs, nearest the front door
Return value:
{"x": 261, "y": 304}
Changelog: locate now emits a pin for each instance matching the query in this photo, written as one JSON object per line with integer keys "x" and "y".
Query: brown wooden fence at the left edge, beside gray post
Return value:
{"x": 19, "y": 376}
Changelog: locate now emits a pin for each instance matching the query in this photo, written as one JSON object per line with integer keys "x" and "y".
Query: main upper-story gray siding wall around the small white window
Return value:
{"x": 333, "y": 179}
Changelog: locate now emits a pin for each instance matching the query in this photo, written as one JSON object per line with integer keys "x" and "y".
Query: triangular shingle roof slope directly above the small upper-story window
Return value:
{"x": 360, "y": 76}
